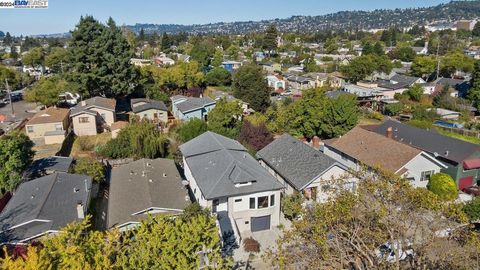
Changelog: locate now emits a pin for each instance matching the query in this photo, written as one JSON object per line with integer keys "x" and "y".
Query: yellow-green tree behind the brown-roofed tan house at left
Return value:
{"x": 47, "y": 90}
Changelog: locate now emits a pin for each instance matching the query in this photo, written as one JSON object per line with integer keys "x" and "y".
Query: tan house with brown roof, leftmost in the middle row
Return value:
{"x": 48, "y": 126}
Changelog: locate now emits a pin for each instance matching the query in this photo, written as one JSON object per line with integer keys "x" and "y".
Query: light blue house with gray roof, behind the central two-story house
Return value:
{"x": 185, "y": 108}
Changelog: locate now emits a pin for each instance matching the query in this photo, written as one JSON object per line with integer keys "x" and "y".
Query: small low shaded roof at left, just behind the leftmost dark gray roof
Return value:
{"x": 49, "y": 165}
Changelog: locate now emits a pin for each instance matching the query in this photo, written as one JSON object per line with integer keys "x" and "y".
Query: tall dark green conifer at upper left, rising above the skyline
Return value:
{"x": 100, "y": 59}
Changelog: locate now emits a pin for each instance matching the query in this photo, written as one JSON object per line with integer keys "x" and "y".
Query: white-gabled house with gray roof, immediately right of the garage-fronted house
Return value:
{"x": 300, "y": 167}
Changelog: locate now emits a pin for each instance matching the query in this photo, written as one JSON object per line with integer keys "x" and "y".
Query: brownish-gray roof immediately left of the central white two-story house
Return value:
{"x": 142, "y": 185}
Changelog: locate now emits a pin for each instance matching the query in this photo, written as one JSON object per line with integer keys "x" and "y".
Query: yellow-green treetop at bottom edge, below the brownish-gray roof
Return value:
{"x": 172, "y": 243}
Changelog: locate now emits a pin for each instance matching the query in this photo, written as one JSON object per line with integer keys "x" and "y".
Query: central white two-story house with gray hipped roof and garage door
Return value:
{"x": 225, "y": 178}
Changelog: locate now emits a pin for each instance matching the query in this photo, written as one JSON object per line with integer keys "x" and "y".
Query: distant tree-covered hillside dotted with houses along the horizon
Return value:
{"x": 345, "y": 20}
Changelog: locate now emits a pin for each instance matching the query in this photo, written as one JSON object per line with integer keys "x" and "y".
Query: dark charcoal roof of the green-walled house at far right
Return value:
{"x": 446, "y": 148}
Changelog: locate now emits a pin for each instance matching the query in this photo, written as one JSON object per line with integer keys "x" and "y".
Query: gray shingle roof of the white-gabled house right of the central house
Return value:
{"x": 295, "y": 161}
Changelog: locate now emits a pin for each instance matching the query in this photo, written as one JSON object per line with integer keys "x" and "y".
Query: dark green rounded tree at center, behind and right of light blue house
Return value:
{"x": 250, "y": 86}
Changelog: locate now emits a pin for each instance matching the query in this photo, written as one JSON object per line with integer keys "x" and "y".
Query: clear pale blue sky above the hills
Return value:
{"x": 62, "y": 15}
